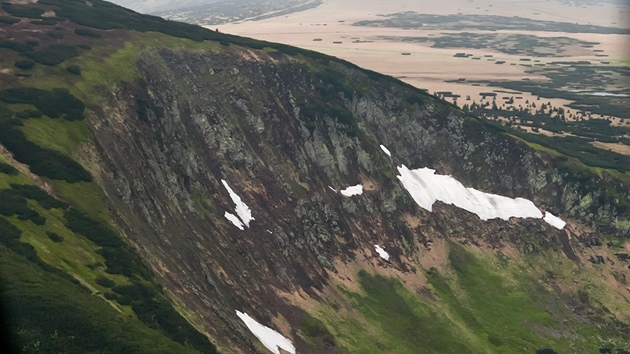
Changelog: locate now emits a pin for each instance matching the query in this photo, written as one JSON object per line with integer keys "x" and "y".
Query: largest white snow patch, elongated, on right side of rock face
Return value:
{"x": 426, "y": 188}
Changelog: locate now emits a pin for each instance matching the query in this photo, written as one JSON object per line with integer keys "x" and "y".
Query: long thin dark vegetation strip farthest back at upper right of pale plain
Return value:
{"x": 482, "y": 22}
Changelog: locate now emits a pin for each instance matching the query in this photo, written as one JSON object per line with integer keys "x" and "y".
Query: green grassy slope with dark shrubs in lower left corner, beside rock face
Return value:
{"x": 71, "y": 284}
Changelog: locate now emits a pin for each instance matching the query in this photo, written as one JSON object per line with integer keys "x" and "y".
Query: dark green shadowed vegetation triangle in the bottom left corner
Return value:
{"x": 48, "y": 313}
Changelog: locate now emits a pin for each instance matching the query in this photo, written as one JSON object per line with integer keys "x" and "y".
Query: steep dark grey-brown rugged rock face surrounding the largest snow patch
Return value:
{"x": 280, "y": 132}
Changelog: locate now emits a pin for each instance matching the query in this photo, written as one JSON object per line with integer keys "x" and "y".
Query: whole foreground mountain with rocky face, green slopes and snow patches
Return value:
{"x": 167, "y": 188}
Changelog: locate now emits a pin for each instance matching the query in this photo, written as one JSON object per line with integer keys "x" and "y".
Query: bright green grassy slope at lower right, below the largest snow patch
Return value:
{"x": 475, "y": 305}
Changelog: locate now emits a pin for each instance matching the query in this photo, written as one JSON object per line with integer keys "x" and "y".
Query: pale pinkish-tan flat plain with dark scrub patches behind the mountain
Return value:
{"x": 504, "y": 58}
